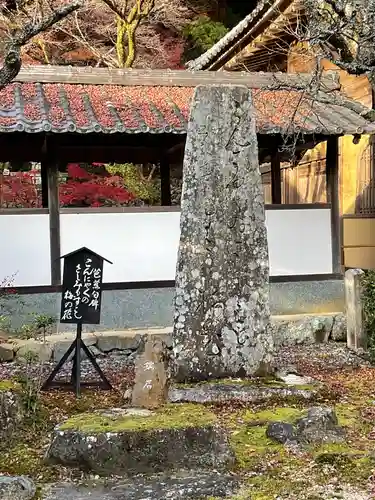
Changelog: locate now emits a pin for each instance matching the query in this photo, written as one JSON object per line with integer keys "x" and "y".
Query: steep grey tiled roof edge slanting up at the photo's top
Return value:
{"x": 264, "y": 11}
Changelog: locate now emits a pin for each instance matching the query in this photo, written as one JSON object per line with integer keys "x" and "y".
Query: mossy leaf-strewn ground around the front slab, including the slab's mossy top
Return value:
{"x": 268, "y": 469}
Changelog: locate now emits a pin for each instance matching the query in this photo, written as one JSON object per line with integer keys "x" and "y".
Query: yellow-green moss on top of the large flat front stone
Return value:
{"x": 167, "y": 417}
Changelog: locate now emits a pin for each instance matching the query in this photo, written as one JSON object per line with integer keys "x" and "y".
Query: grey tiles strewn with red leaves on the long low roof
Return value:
{"x": 66, "y": 107}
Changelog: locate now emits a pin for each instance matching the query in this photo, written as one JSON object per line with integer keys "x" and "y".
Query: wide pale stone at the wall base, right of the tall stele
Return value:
{"x": 304, "y": 329}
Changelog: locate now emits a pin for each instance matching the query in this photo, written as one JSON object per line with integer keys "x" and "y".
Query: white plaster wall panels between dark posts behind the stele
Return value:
{"x": 143, "y": 245}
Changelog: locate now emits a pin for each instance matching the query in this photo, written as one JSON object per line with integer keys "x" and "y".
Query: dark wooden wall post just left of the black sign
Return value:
{"x": 51, "y": 170}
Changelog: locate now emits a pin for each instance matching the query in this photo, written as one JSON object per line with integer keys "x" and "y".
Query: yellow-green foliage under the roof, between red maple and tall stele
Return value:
{"x": 145, "y": 188}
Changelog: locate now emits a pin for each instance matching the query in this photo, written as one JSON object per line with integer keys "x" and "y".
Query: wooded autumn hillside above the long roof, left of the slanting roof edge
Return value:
{"x": 169, "y": 33}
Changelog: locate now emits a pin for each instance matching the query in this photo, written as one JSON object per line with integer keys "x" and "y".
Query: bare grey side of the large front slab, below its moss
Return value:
{"x": 143, "y": 450}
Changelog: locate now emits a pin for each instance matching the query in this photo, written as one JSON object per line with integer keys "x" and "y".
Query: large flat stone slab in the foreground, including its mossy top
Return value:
{"x": 174, "y": 438}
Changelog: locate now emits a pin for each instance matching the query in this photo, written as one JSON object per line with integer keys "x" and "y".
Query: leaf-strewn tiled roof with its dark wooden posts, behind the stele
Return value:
{"x": 56, "y": 115}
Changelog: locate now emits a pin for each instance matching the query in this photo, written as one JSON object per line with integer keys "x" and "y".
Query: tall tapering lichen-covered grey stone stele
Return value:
{"x": 222, "y": 277}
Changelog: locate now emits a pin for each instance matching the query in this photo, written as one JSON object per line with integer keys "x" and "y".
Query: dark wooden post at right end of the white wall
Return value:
{"x": 333, "y": 197}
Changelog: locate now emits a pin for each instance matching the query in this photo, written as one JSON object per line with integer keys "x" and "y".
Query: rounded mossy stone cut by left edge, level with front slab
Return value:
{"x": 11, "y": 412}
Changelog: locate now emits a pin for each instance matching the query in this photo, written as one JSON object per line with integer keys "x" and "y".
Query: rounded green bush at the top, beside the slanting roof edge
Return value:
{"x": 201, "y": 35}
